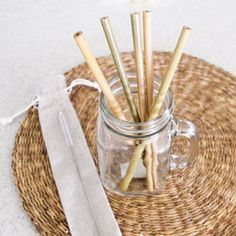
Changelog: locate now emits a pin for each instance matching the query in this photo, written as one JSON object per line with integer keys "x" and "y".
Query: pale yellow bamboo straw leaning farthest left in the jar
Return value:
{"x": 93, "y": 65}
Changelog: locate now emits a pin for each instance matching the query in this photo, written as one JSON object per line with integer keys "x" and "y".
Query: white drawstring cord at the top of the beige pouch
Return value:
{"x": 35, "y": 101}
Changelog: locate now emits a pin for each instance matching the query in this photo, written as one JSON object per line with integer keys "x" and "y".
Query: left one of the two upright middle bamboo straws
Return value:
{"x": 137, "y": 41}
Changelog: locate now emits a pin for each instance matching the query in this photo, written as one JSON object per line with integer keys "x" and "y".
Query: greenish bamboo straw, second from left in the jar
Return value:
{"x": 120, "y": 67}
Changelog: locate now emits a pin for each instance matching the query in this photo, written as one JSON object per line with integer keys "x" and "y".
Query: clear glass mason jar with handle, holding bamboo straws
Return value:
{"x": 117, "y": 140}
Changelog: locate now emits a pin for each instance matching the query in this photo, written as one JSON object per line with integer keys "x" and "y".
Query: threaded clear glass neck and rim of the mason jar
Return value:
{"x": 131, "y": 129}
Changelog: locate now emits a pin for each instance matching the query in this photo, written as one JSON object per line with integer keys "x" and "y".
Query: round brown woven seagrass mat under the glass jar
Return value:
{"x": 197, "y": 201}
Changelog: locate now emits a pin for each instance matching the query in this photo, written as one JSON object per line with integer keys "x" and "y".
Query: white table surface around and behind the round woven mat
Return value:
{"x": 36, "y": 41}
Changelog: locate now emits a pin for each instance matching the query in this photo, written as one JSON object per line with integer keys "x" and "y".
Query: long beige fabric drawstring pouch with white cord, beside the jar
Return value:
{"x": 83, "y": 198}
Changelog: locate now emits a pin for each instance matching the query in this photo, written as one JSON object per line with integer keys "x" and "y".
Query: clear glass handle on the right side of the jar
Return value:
{"x": 188, "y": 130}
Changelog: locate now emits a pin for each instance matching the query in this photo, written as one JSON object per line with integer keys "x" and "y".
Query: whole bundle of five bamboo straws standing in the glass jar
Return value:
{"x": 149, "y": 108}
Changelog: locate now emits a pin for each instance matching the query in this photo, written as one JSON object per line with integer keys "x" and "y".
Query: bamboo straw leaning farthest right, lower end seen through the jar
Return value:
{"x": 155, "y": 112}
